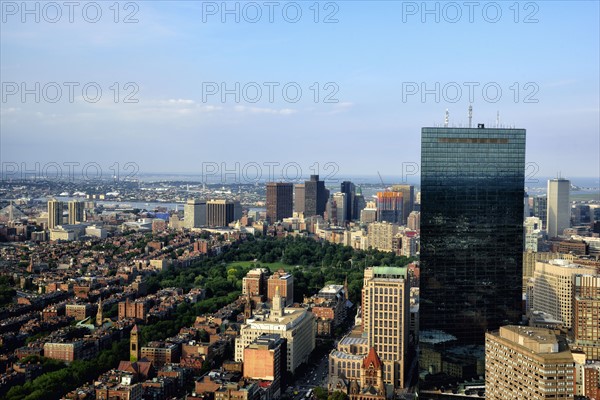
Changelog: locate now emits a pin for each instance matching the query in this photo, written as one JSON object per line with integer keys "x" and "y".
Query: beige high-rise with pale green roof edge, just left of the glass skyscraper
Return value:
{"x": 386, "y": 317}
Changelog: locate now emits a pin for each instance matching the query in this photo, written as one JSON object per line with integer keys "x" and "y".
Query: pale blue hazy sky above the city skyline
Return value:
{"x": 367, "y": 61}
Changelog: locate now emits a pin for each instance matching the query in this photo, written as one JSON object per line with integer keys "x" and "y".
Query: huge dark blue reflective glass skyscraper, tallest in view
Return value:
{"x": 472, "y": 185}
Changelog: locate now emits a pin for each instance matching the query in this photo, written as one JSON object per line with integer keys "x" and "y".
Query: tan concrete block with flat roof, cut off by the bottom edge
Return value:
{"x": 523, "y": 362}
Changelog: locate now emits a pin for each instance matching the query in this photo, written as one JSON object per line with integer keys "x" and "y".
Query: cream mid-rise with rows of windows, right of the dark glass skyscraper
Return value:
{"x": 553, "y": 287}
